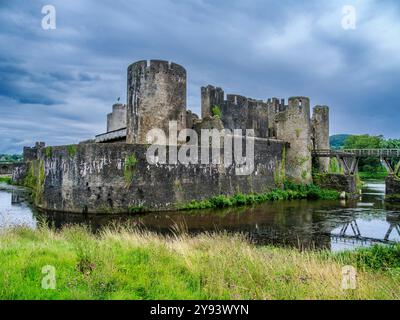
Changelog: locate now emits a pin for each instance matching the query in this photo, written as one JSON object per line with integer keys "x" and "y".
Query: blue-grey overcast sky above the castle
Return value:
{"x": 58, "y": 85}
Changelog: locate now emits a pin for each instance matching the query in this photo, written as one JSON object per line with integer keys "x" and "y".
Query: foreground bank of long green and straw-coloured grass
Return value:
{"x": 127, "y": 264}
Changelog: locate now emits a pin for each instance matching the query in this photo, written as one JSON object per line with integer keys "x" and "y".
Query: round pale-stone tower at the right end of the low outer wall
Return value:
{"x": 293, "y": 126}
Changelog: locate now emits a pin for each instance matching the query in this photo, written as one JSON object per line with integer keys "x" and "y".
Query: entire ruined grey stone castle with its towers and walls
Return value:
{"x": 113, "y": 175}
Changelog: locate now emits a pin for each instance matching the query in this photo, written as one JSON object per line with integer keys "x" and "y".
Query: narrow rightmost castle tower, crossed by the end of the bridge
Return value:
{"x": 320, "y": 135}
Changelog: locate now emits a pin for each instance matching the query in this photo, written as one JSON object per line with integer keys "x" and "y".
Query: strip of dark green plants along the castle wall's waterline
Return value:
{"x": 291, "y": 191}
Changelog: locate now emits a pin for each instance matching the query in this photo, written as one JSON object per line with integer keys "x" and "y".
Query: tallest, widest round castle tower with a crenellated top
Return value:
{"x": 156, "y": 95}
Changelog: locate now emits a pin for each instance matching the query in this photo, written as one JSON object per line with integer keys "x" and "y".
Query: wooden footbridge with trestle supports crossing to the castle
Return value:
{"x": 349, "y": 158}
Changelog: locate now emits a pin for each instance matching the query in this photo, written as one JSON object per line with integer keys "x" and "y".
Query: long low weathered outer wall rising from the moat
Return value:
{"x": 98, "y": 178}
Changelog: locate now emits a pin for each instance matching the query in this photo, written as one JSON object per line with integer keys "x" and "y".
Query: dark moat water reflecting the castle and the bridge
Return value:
{"x": 333, "y": 225}
